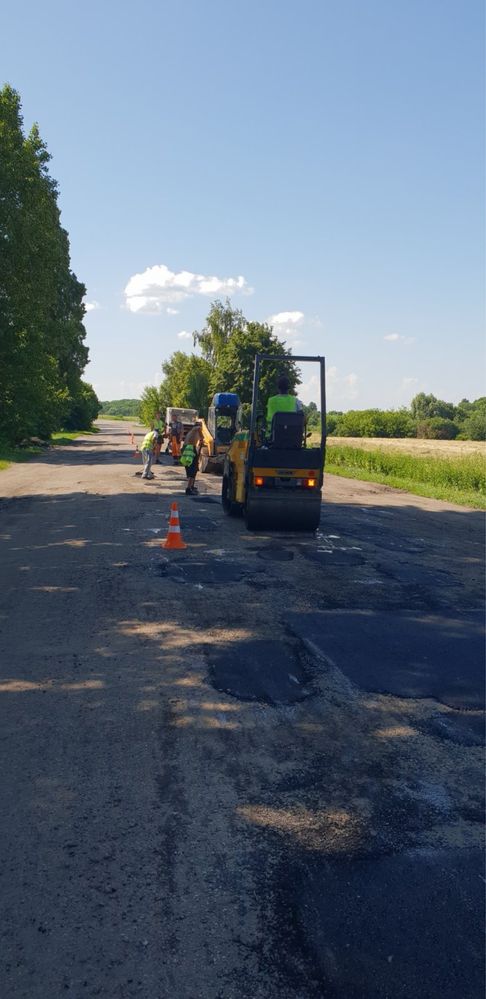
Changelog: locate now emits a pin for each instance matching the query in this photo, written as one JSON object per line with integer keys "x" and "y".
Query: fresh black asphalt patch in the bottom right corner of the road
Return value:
{"x": 394, "y": 927}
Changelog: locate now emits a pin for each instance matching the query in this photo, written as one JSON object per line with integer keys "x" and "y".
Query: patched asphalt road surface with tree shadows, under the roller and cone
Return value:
{"x": 249, "y": 769}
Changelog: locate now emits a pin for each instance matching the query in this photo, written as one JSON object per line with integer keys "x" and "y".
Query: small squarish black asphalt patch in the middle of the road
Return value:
{"x": 272, "y": 672}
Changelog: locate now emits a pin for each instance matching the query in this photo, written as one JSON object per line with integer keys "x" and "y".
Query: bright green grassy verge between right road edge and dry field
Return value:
{"x": 459, "y": 480}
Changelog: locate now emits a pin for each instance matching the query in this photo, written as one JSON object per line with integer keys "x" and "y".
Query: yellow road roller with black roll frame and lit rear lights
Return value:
{"x": 272, "y": 475}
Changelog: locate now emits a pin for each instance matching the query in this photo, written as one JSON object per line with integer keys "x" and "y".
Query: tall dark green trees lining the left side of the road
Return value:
{"x": 42, "y": 349}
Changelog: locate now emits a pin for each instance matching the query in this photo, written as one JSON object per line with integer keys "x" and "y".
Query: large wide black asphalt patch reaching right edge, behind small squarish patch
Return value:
{"x": 407, "y": 654}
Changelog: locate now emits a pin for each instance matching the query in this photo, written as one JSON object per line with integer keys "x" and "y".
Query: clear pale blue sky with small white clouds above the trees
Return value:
{"x": 322, "y": 162}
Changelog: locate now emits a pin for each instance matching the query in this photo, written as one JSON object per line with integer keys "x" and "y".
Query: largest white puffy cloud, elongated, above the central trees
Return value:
{"x": 158, "y": 285}
